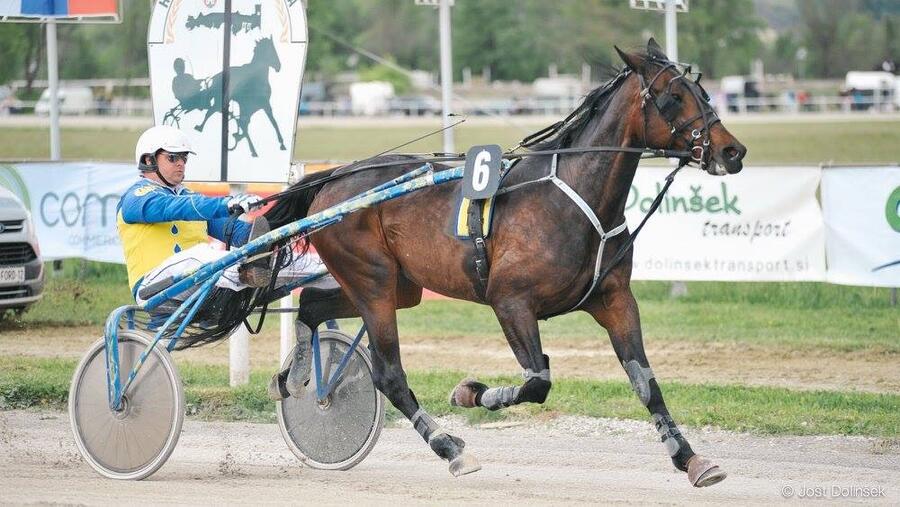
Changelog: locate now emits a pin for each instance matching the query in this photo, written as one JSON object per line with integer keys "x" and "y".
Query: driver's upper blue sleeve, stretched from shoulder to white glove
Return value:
{"x": 148, "y": 204}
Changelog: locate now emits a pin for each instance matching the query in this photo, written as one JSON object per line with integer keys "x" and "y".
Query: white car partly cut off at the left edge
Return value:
{"x": 21, "y": 266}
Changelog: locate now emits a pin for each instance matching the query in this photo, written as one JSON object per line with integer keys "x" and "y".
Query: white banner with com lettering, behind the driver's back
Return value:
{"x": 72, "y": 205}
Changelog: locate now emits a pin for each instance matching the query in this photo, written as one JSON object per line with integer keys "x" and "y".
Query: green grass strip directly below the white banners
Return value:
{"x": 803, "y": 315}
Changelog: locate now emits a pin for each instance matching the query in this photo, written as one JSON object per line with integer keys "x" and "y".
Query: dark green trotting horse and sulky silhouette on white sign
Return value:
{"x": 250, "y": 92}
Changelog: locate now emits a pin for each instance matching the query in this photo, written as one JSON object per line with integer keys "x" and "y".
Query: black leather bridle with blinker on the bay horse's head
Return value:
{"x": 669, "y": 108}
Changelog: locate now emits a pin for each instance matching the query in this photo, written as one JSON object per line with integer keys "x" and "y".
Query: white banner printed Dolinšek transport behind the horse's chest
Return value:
{"x": 762, "y": 224}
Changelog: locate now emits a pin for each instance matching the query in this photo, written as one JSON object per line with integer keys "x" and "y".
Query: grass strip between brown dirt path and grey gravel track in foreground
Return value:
{"x": 38, "y": 382}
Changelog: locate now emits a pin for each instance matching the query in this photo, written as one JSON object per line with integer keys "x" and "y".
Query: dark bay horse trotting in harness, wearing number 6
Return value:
{"x": 542, "y": 249}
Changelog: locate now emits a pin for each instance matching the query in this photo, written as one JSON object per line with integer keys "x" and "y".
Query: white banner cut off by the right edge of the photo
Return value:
{"x": 862, "y": 216}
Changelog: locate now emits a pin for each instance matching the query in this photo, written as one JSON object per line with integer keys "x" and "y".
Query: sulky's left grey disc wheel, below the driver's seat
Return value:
{"x": 134, "y": 442}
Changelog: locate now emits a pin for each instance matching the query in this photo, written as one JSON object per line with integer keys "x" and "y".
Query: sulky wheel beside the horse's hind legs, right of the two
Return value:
{"x": 339, "y": 432}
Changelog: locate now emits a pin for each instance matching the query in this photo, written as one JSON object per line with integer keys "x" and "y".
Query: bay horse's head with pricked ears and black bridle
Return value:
{"x": 676, "y": 113}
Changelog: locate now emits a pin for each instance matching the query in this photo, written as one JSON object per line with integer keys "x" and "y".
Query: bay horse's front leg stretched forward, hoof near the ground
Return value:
{"x": 617, "y": 311}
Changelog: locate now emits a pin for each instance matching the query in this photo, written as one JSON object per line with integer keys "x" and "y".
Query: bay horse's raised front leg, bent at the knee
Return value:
{"x": 521, "y": 329}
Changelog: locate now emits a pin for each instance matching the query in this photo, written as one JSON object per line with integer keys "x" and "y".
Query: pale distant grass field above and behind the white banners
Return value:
{"x": 780, "y": 143}
